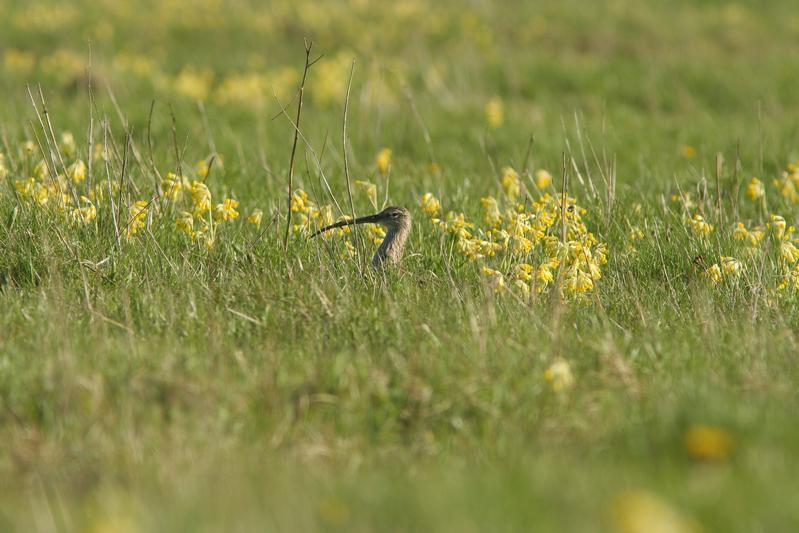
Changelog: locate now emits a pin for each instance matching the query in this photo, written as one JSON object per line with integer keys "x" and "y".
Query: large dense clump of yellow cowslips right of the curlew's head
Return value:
{"x": 531, "y": 243}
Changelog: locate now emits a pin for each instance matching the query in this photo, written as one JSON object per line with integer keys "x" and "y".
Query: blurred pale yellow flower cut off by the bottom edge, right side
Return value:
{"x": 641, "y": 512}
